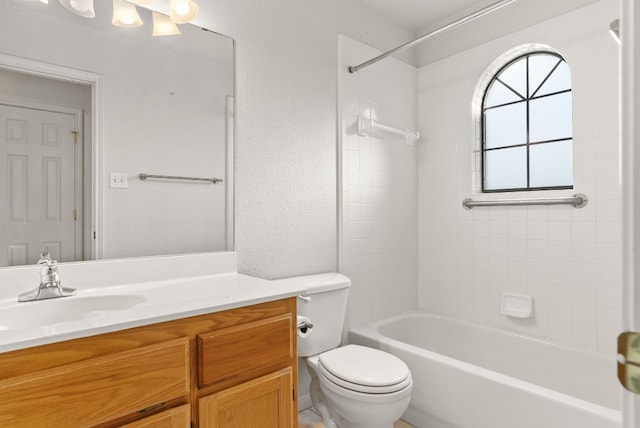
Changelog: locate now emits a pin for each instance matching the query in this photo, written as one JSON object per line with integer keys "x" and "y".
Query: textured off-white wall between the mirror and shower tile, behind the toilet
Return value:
{"x": 286, "y": 103}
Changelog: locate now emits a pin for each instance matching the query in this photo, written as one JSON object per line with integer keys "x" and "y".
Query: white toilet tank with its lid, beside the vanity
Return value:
{"x": 325, "y": 304}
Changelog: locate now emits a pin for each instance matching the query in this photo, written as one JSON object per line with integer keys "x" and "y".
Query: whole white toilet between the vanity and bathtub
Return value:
{"x": 351, "y": 386}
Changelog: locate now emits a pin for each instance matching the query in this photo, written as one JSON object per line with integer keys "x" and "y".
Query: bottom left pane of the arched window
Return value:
{"x": 505, "y": 168}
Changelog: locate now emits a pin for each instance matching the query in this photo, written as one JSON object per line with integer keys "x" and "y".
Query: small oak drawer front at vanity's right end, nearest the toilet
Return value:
{"x": 245, "y": 351}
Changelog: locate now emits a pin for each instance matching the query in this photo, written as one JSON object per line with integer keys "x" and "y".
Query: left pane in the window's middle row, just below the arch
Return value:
{"x": 506, "y": 126}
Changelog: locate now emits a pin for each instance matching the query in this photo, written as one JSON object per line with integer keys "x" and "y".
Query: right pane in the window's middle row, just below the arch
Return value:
{"x": 550, "y": 118}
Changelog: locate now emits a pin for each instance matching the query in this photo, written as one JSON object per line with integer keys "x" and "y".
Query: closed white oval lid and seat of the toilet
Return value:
{"x": 365, "y": 369}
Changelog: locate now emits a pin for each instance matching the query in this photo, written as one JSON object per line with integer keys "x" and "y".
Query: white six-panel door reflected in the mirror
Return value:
{"x": 38, "y": 186}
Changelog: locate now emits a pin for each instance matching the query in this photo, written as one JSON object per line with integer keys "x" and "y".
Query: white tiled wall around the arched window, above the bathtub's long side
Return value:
{"x": 568, "y": 259}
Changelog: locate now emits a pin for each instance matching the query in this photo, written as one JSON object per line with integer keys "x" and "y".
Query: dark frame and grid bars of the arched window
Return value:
{"x": 527, "y": 101}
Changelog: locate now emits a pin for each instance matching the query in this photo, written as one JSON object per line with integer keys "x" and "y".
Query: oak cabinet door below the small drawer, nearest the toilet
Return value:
{"x": 265, "y": 402}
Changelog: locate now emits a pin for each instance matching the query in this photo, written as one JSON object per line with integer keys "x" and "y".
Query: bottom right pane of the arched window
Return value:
{"x": 551, "y": 164}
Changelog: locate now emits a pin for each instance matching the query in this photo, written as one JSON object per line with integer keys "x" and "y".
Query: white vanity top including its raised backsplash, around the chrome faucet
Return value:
{"x": 145, "y": 291}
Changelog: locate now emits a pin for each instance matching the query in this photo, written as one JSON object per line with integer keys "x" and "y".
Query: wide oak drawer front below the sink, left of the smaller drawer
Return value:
{"x": 97, "y": 390}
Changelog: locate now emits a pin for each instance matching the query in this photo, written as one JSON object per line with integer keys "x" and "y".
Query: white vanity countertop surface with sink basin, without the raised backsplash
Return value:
{"x": 106, "y": 309}
